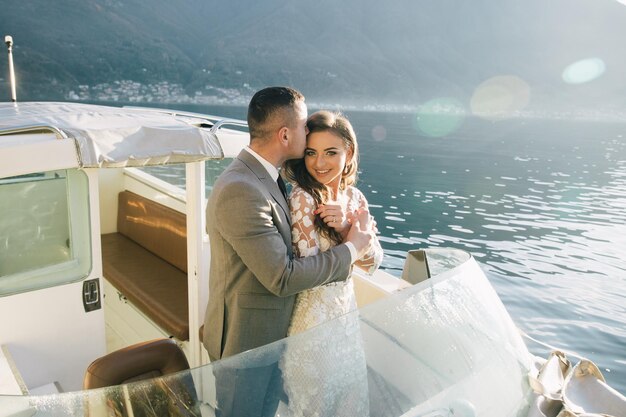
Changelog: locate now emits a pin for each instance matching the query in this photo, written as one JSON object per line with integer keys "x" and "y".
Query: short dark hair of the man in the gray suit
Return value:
{"x": 268, "y": 103}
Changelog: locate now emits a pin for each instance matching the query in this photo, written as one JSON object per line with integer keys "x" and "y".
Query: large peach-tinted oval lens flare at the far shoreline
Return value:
{"x": 500, "y": 97}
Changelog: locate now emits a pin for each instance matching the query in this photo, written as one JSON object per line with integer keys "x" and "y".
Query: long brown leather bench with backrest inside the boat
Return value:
{"x": 146, "y": 261}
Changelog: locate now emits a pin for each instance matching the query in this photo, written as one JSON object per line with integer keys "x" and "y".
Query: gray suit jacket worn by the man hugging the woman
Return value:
{"x": 254, "y": 276}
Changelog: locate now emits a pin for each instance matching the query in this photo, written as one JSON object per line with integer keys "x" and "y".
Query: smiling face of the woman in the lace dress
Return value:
{"x": 325, "y": 157}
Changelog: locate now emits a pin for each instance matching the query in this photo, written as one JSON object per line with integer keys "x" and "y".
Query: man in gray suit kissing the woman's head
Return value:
{"x": 254, "y": 275}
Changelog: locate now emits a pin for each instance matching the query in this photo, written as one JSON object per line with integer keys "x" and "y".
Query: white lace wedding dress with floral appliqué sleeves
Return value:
{"x": 326, "y": 376}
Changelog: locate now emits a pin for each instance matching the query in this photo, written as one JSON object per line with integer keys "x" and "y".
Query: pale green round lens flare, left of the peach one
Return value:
{"x": 440, "y": 116}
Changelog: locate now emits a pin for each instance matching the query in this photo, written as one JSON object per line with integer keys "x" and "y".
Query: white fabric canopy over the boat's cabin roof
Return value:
{"x": 116, "y": 137}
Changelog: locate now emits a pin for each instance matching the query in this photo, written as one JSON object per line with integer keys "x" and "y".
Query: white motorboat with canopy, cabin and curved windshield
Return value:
{"x": 75, "y": 181}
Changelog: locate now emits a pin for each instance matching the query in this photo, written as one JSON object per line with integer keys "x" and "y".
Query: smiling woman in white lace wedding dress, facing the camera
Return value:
{"x": 328, "y": 378}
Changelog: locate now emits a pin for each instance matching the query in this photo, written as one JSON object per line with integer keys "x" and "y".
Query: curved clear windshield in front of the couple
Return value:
{"x": 443, "y": 347}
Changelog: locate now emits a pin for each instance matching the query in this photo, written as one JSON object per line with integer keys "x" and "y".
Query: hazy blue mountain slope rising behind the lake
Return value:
{"x": 352, "y": 51}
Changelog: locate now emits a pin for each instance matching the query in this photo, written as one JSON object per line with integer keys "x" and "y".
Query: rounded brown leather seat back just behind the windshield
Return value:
{"x": 134, "y": 363}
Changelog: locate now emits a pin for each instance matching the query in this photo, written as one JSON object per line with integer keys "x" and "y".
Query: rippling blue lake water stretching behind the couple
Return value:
{"x": 541, "y": 204}
